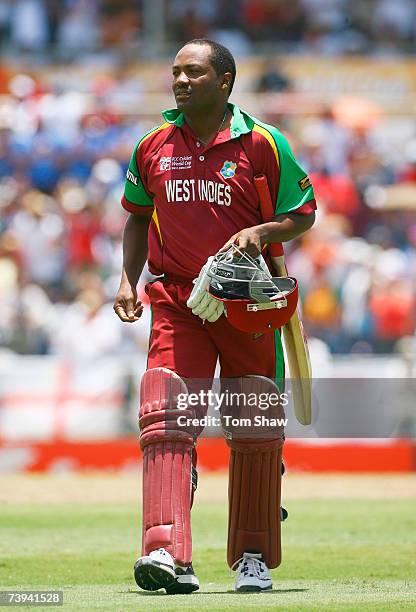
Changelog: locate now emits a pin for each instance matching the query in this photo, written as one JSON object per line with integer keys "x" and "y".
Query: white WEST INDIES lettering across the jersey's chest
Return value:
{"x": 191, "y": 190}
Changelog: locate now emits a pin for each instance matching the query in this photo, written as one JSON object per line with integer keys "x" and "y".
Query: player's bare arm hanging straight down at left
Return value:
{"x": 126, "y": 305}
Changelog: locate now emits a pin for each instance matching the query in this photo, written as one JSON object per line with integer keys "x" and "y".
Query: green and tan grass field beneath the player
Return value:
{"x": 80, "y": 534}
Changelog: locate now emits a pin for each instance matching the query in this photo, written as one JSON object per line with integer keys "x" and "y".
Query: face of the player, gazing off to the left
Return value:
{"x": 196, "y": 85}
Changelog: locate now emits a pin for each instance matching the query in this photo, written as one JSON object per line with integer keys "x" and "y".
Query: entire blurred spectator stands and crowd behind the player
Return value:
{"x": 81, "y": 81}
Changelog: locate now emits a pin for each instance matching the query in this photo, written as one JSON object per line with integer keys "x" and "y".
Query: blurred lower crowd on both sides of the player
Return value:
{"x": 63, "y": 157}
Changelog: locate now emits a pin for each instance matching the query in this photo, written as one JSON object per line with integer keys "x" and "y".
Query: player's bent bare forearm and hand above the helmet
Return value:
{"x": 283, "y": 228}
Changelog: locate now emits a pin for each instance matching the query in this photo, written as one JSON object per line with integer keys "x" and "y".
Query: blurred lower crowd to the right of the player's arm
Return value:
{"x": 357, "y": 266}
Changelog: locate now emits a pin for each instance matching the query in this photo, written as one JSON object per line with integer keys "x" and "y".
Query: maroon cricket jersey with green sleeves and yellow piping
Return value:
{"x": 199, "y": 196}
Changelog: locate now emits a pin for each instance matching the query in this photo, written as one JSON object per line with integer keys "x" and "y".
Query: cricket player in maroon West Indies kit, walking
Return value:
{"x": 189, "y": 191}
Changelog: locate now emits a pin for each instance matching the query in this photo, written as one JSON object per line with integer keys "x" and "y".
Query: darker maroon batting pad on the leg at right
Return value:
{"x": 254, "y": 488}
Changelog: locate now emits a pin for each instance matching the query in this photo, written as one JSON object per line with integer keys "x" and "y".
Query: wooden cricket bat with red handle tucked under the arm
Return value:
{"x": 293, "y": 334}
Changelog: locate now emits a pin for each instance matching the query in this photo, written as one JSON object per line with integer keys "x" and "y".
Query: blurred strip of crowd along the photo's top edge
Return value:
{"x": 73, "y": 28}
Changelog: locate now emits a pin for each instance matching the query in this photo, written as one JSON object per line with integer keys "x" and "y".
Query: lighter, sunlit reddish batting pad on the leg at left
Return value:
{"x": 167, "y": 466}
